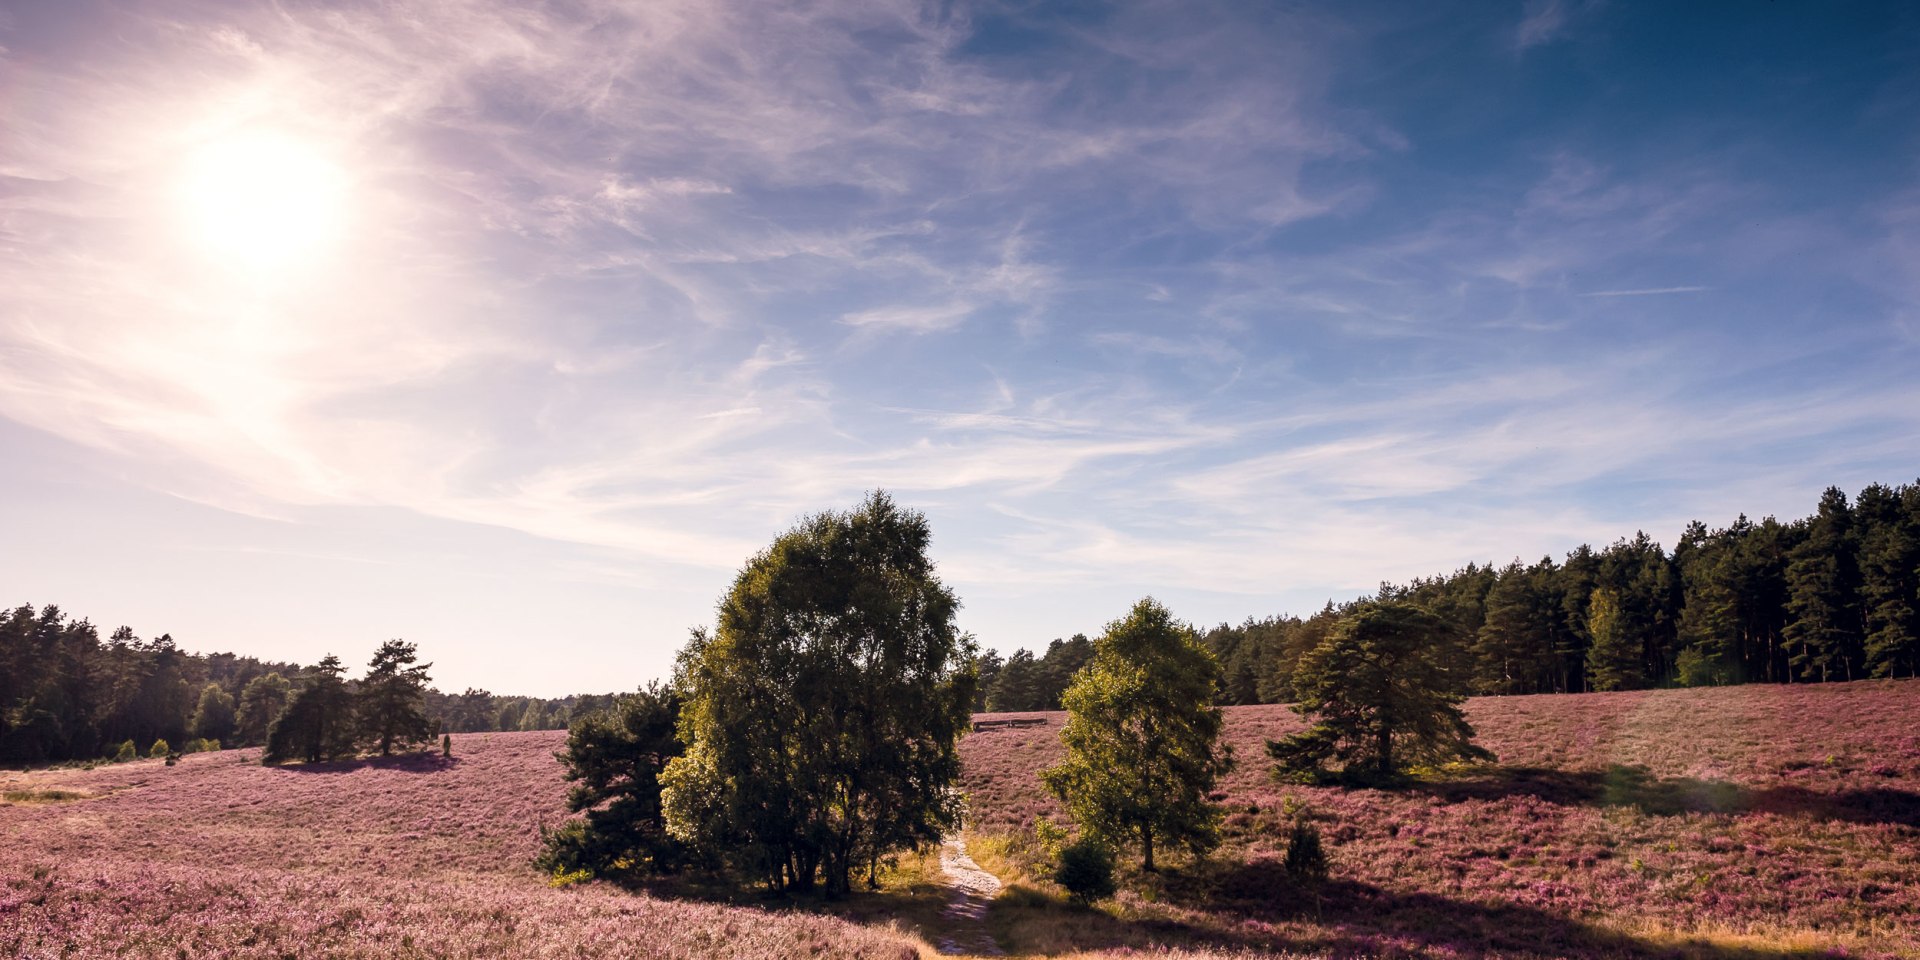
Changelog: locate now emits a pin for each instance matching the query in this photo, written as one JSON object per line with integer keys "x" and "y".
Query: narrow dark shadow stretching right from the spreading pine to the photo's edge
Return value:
{"x": 1635, "y": 786}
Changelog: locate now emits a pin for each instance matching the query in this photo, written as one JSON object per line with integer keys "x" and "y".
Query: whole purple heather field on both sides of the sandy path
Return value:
{"x": 1746, "y": 823}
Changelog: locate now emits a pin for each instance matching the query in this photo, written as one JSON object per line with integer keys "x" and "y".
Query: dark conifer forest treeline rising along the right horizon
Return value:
{"x": 1833, "y": 596}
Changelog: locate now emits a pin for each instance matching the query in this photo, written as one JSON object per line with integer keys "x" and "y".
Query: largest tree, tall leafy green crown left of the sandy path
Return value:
{"x": 823, "y": 715}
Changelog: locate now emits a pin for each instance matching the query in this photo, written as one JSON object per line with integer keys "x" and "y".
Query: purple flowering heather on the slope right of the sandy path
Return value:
{"x": 1710, "y": 823}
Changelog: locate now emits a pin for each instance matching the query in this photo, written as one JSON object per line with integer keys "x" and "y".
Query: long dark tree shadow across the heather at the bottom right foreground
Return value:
{"x": 1349, "y": 919}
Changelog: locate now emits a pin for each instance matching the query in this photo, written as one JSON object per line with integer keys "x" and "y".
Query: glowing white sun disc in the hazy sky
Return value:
{"x": 264, "y": 203}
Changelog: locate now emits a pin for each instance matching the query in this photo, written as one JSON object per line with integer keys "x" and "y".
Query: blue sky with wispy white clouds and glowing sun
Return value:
{"x": 514, "y": 329}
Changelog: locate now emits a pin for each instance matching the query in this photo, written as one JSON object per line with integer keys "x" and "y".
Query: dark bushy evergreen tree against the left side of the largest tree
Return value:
{"x": 615, "y": 759}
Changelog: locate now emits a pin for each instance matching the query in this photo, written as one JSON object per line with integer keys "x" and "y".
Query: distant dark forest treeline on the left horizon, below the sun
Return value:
{"x": 70, "y": 696}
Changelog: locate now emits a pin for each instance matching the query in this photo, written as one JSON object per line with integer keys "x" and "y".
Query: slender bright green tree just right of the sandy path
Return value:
{"x": 1143, "y": 738}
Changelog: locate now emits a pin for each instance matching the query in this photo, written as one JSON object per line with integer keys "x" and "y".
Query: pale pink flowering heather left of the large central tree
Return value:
{"x": 404, "y": 857}
